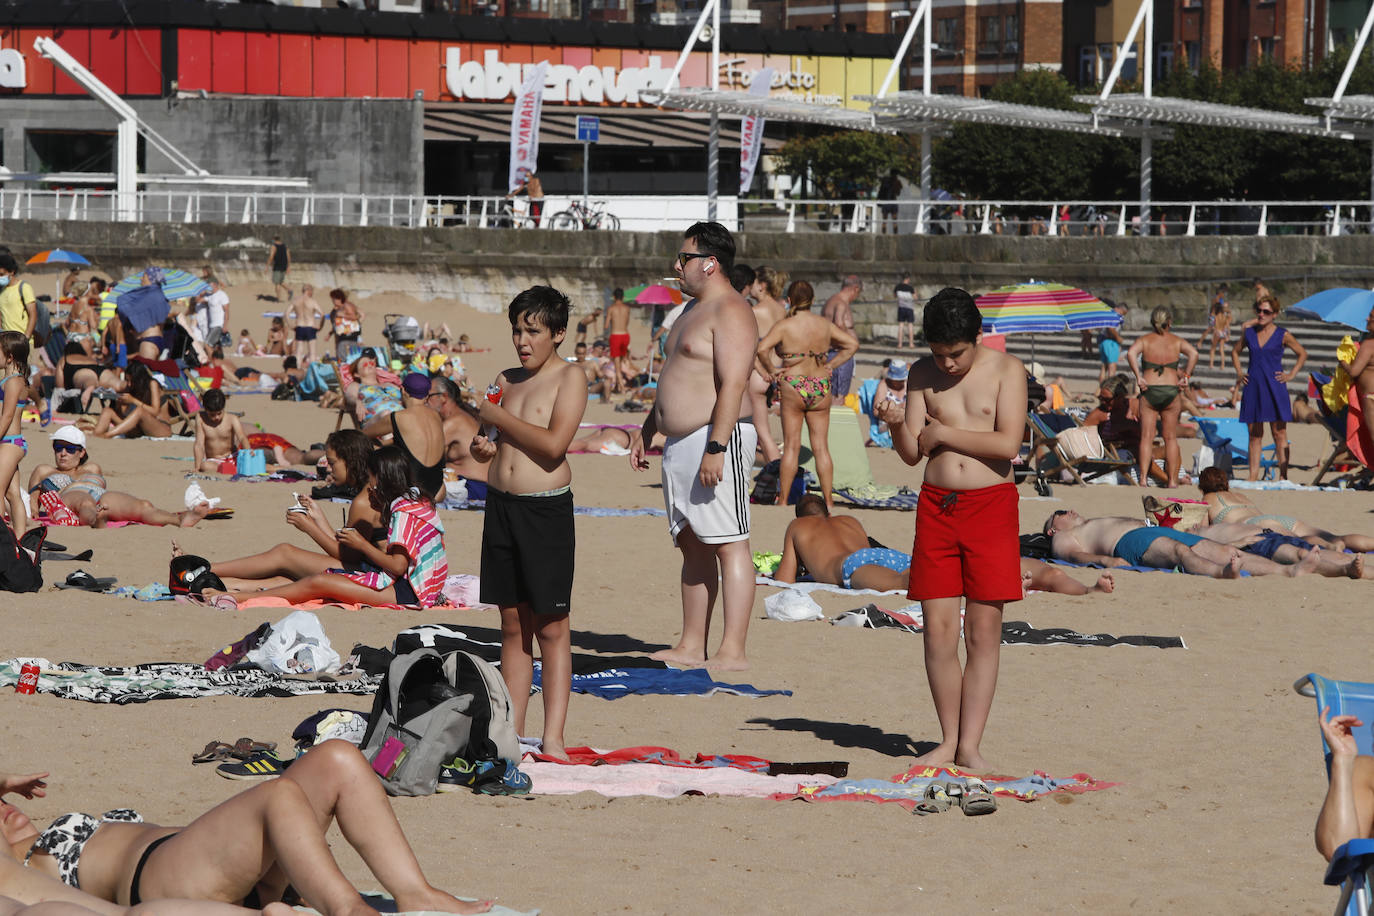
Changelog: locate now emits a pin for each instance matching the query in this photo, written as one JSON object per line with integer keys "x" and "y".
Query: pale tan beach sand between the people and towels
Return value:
{"x": 1218, "y": 760}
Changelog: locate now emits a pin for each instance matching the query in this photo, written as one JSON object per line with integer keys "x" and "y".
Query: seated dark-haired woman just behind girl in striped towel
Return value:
{"x": 347, "y": 453}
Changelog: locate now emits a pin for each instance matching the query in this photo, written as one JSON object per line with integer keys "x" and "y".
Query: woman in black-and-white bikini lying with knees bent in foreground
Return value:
{"x": 252, "y": 848}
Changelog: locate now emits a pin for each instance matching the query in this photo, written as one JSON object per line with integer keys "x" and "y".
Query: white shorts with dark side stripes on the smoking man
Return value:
{"x": 717, "y": 516}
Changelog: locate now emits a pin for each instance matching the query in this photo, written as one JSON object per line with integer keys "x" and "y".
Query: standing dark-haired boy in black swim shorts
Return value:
{"x": 530, "y": 418}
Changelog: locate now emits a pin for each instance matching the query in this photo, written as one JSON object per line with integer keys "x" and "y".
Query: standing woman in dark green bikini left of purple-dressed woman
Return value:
{"x": 1155, "y": 359}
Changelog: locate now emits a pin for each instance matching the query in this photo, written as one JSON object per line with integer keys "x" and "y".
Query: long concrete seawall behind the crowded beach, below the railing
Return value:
{"x": 486, "y": 268}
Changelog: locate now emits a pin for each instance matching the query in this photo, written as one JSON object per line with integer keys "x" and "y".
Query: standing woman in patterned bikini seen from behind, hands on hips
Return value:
{"x": 803, "y": 343}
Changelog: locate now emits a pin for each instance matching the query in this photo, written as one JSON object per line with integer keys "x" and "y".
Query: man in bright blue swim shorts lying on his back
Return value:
{"x": 1126, "y": 542}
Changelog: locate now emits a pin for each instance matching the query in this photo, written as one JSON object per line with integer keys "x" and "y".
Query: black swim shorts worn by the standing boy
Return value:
{"x": 528, "y": 546}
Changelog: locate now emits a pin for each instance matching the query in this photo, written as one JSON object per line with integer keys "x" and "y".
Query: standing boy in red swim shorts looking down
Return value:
{"x": 967, "y": 414}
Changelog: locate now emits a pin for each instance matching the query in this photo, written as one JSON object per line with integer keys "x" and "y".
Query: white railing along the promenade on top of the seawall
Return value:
{"x": 645, "y": 214}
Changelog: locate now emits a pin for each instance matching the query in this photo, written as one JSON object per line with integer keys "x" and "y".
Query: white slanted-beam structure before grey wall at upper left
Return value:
{"x": 127, "y": 152}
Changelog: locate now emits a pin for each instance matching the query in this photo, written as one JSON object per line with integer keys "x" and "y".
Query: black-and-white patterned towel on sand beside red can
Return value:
{"x": 124, "y": 685}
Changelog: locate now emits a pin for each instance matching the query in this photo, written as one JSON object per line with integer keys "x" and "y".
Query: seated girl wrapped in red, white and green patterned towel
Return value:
{"x": 410, "y": 569}
